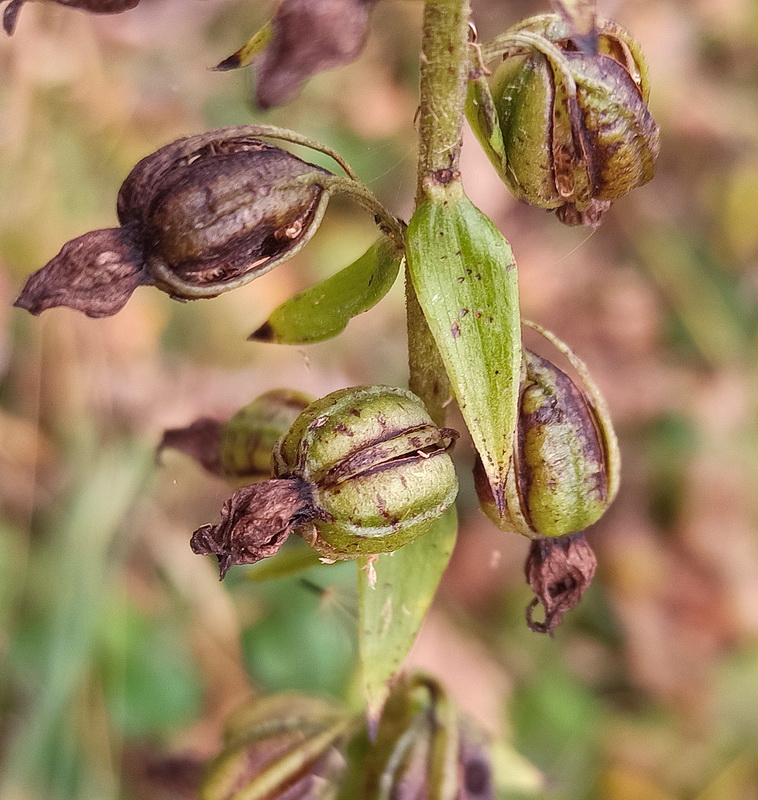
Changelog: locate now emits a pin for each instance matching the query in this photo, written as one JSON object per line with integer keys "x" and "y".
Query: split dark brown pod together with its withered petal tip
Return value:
{"x": 199, "y": 217}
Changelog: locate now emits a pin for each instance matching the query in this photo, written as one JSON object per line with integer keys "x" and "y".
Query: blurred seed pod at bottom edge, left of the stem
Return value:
{"x": 282, "y": 747}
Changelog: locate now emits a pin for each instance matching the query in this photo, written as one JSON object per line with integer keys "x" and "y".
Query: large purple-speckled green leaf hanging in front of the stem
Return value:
{"x": 464, "y": 275}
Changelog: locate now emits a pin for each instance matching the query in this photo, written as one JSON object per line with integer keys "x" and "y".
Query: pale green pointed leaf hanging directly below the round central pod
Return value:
{"x": 392, "y": 610}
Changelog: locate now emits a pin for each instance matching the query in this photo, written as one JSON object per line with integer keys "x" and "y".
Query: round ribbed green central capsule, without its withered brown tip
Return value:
{"x": 376, "y": 464}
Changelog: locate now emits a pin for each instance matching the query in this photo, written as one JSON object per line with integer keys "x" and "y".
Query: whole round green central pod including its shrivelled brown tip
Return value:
{"x": 361, "y": 471}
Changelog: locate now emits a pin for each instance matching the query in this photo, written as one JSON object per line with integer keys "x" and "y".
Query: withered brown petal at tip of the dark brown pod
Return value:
{"x": 95, "y": 273}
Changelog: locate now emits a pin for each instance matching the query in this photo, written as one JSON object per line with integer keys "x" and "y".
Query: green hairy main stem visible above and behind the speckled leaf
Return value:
{"x": 444, "y": 75}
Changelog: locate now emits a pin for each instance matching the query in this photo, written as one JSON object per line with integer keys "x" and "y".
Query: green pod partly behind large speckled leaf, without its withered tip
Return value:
{"x": 564, "y": 471}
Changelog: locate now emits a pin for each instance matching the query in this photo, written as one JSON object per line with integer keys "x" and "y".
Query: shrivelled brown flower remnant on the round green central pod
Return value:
{"x": 255, "y": 522}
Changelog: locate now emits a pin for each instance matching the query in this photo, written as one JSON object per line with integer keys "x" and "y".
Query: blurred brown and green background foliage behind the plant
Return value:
{"x": 120, "y": 652}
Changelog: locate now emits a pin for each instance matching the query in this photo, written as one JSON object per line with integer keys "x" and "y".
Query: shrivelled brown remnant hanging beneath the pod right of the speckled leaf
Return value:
{"x": 559, "y": 571}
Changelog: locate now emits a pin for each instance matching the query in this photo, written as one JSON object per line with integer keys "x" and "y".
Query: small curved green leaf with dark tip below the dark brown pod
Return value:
{"x": 323, "y": 310}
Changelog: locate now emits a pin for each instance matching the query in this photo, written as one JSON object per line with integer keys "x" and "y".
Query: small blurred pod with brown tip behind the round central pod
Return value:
{"x": 240, "y": 449}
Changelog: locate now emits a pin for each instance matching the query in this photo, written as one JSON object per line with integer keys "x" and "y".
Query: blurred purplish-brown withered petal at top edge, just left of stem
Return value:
{"x": 309, "y": 36}
